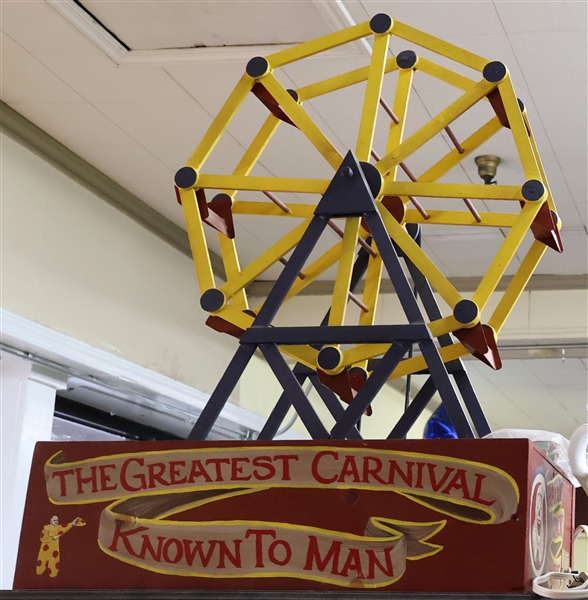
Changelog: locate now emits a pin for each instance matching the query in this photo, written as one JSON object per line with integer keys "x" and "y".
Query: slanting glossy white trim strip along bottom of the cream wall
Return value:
{"x": 29, "y": 337}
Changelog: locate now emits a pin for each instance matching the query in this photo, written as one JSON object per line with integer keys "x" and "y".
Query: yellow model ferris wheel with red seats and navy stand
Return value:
{"x": 380, "y": 220}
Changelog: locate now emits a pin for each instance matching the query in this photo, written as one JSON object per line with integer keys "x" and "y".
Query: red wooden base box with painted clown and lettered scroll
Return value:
{"x": 412, "y": 516}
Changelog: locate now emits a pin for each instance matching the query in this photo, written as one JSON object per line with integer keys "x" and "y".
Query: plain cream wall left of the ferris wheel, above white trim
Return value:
{"x": 75, "y": 264}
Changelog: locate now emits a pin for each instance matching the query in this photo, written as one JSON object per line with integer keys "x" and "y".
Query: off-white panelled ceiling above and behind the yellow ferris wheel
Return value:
{"x": 137, "y": 115}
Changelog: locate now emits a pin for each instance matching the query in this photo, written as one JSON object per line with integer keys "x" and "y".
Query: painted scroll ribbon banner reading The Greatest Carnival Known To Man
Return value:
{"x": 146, "y": 489}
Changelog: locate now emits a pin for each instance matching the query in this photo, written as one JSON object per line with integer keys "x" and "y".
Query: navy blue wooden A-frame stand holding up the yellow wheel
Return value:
{"x": 350, "y": 193}
